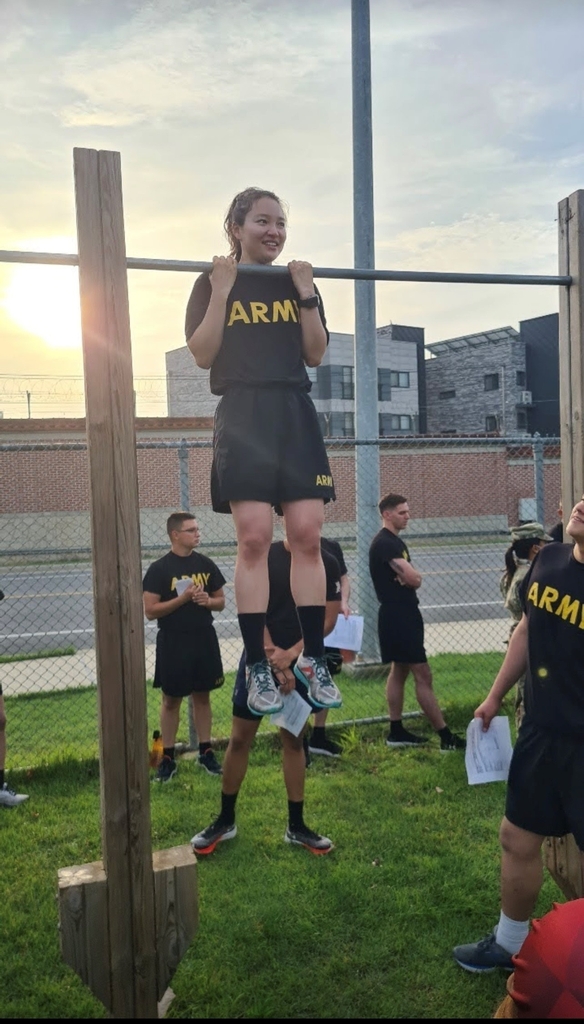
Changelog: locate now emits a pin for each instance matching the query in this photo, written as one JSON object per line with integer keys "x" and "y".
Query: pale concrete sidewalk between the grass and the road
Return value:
{"x": 46, "y": 675}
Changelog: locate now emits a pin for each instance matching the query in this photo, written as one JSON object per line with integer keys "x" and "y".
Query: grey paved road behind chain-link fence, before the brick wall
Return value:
{"x": 48, "y": 608}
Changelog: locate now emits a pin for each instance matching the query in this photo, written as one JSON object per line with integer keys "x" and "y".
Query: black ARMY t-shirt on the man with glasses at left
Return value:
{"x": 161, "y": 579}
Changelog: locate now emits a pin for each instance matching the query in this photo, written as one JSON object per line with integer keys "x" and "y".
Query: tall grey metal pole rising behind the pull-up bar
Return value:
{"x": 367, "y": 430}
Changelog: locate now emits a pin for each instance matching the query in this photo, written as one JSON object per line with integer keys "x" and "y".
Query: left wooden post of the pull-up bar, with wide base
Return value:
{"x": 110, "y": 909}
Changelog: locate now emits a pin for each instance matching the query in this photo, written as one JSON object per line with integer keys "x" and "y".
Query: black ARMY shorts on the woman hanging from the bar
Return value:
{"x": 269, "y": 447}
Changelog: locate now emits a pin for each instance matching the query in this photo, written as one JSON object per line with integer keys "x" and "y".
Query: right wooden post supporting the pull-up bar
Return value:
{"x": 562, "y": 856}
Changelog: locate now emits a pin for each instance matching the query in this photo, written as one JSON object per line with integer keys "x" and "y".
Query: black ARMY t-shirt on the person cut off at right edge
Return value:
{"x": 553, "y": 596}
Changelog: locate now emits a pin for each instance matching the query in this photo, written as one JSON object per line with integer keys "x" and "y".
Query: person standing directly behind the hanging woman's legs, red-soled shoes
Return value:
{"x": 283, "y": 645}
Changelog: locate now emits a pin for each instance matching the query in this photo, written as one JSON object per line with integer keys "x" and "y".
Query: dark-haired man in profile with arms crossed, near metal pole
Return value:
{"x": 402, "y": 628}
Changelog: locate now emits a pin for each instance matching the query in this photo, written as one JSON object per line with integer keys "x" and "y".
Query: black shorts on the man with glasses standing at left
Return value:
{"x": 188, "y": 663}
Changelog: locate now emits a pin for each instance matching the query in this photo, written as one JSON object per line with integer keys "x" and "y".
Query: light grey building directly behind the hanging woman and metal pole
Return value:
{"x": 400, "y": 383}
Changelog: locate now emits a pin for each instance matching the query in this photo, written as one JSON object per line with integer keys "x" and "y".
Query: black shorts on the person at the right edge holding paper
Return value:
{"x": 546, "y": 790}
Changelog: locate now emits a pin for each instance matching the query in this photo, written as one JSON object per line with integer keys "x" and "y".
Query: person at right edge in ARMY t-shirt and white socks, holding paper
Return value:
{"x": 546, "y": 789}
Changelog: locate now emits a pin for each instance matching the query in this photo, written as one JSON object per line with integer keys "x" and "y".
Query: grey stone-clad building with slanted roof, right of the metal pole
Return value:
{"x": 478, "y": 383}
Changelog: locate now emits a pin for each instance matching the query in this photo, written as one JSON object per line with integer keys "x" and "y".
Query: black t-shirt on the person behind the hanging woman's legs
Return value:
{"x": 282, "y": 619}
